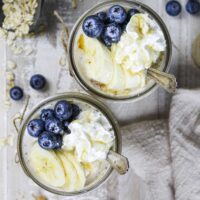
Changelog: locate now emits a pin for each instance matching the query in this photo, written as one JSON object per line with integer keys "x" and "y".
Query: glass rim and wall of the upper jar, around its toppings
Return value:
{"x": 75, "y": 33}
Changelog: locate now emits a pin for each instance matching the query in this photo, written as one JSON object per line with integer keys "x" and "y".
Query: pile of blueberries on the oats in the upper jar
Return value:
{"x": 108, "y": 27}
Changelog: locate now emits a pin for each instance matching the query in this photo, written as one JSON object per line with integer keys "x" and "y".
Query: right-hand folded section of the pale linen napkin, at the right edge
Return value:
{"x": 185, "y": 144}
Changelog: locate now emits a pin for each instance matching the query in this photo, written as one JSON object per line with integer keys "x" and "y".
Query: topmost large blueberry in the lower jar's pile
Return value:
{"x": 63, "y": 110}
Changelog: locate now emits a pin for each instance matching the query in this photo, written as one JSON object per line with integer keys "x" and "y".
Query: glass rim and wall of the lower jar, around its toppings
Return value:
{"x": 25, "y": 141}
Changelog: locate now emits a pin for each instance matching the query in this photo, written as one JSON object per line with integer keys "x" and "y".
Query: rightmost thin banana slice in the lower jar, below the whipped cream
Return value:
{"x": 79, "y": 170}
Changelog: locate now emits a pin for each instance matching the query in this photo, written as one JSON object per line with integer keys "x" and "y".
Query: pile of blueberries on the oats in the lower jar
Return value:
{"x": 53, "y": 124}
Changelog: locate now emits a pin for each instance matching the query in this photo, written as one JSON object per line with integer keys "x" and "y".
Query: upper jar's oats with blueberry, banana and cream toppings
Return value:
{"x": 113, "y": 46}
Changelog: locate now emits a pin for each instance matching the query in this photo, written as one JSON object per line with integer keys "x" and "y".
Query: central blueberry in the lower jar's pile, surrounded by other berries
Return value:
{"x": 53, "y": 125}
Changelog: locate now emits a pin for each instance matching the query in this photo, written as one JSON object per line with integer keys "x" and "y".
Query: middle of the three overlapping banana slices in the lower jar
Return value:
{"x": 70, "y": 172}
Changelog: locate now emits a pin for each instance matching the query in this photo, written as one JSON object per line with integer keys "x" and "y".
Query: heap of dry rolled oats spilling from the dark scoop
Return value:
{"x": 19, "y": 16}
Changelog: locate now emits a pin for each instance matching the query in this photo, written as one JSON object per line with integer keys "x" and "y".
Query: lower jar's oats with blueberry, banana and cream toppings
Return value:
{"x": 68, "y": 143}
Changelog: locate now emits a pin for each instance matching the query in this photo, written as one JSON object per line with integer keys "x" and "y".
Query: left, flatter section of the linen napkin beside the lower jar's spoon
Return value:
{"x": 146, "y": 144}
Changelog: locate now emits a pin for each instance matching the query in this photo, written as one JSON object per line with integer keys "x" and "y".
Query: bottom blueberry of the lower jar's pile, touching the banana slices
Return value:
{"x": 48, "y": 140}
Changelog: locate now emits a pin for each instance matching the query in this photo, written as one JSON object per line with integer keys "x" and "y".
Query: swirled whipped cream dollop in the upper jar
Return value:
{"x": 141, "y": 45}
